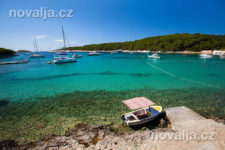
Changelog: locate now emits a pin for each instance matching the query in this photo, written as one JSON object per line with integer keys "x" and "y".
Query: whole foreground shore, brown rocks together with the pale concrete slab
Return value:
{"x": 90, "y": 137}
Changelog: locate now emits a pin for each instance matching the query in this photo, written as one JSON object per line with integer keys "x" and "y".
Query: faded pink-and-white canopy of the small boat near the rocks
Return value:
{"x": 138, "y": 102}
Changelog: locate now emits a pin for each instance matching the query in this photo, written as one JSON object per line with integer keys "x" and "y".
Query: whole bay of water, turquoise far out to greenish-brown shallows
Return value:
{"x": 50, "y": 98}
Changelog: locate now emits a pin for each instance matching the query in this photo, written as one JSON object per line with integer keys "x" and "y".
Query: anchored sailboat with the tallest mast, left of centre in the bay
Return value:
{"x": 62, "y": 56}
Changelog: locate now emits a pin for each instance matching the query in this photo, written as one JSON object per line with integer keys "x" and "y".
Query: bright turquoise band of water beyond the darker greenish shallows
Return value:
{"x": 110, "y": 72}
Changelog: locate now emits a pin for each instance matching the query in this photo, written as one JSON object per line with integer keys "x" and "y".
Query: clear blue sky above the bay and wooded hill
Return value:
{"x": 99, "y": 21}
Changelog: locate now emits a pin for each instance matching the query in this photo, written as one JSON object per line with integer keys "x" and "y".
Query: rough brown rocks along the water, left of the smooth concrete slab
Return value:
{"x": 86, "y": 136}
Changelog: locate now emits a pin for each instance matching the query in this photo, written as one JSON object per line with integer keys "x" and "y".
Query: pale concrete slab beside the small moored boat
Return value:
{"x": 210, "y": 134}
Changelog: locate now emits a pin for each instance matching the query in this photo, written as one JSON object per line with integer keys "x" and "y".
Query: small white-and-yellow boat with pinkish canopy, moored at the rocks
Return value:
{"x": 143, "y": 111}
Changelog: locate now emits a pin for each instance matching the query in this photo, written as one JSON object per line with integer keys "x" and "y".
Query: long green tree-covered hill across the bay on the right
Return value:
{"x": 175, "y": 42}
